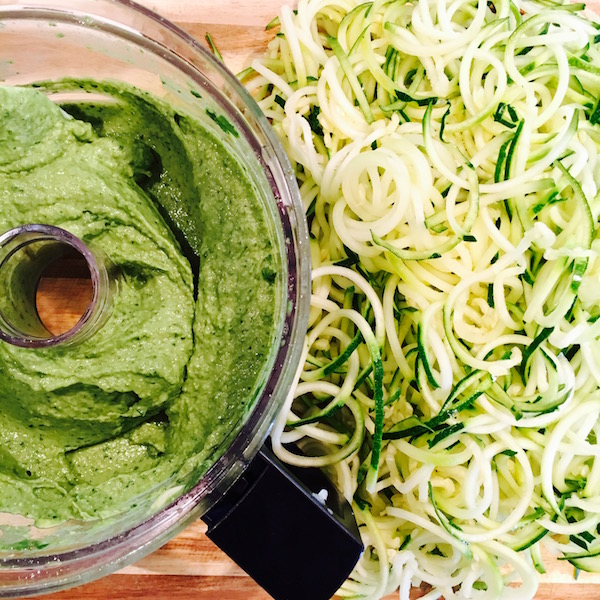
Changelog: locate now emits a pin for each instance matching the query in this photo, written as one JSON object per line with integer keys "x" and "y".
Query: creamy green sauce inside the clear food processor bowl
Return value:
{"x": 148, "y": 401}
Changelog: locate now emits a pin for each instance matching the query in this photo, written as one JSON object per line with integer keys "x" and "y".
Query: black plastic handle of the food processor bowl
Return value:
{"x": 274, "y": 524}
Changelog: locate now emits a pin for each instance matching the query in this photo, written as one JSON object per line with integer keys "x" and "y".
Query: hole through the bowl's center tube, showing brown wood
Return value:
{"x": 64, "y": 292}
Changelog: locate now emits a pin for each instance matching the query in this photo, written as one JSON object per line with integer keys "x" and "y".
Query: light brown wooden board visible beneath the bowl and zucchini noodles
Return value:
{"x": 190, "y": 566}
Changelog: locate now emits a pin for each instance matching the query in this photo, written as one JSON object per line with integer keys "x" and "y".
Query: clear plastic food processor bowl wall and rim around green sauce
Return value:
{"x": 119, "y": 40}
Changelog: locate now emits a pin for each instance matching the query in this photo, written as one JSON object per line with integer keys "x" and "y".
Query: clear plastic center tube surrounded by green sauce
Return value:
{"x": 25, "y": 254}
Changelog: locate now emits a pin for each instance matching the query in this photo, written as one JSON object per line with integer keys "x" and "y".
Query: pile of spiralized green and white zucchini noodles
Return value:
{"x": 447, "y": 157}
